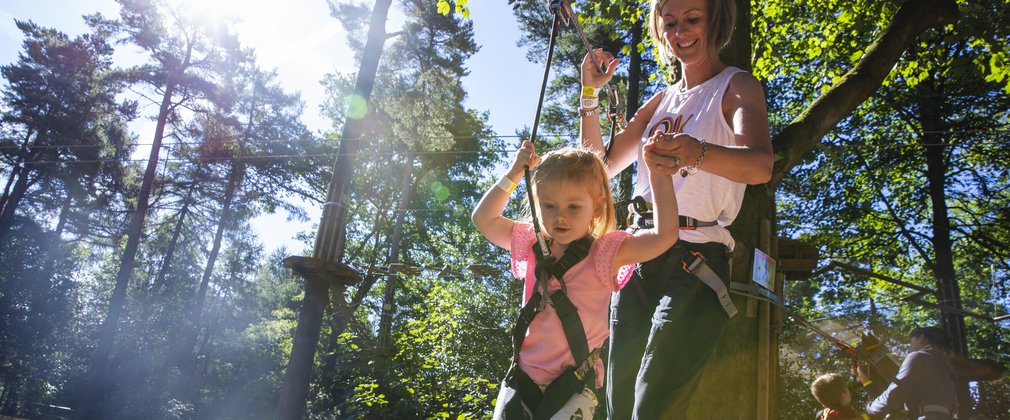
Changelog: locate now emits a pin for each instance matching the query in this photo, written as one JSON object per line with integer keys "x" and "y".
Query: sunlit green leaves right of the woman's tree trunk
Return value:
{"x": 868, "y": 194}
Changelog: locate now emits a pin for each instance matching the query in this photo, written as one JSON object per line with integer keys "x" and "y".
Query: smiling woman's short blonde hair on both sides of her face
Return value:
{"x": 722, "y": 21}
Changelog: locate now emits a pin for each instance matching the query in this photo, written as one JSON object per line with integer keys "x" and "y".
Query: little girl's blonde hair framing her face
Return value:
{"x": 582, "y": 167}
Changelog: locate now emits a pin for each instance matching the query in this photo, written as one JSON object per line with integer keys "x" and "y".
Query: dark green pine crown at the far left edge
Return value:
{"x": 60, "y": 122}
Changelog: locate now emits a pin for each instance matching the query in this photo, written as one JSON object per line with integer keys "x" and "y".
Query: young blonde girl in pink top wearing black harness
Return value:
{"x": 574, "y": 202}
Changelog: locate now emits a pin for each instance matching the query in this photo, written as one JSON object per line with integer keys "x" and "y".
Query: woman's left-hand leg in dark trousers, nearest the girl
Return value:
{"x": 631, "y": 320}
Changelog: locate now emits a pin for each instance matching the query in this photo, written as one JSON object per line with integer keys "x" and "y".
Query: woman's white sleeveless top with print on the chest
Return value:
{"x": 703, "y": 196}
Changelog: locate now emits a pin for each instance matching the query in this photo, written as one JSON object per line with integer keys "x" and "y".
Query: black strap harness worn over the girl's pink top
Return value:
{"x": 574, "y": 380}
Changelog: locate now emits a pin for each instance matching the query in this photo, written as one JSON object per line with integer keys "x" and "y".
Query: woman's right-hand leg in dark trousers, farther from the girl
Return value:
{"x": 686, "y": 327}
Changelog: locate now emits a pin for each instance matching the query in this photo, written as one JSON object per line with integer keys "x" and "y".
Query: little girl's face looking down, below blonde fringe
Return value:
{"x": 567, "y": 211}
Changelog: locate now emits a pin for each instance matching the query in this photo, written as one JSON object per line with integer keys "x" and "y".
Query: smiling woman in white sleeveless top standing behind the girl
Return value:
{"x": 666, "y": 325}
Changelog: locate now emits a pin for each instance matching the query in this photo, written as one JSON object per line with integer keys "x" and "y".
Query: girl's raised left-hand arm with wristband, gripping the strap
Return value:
{"x": 488, "y": 215}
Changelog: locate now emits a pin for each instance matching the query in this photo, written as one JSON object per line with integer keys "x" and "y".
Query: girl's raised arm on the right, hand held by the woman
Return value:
{"x": 650, "y": 244}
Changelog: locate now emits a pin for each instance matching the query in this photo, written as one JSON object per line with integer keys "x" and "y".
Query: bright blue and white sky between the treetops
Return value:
{"x": 304, "y": 43}
